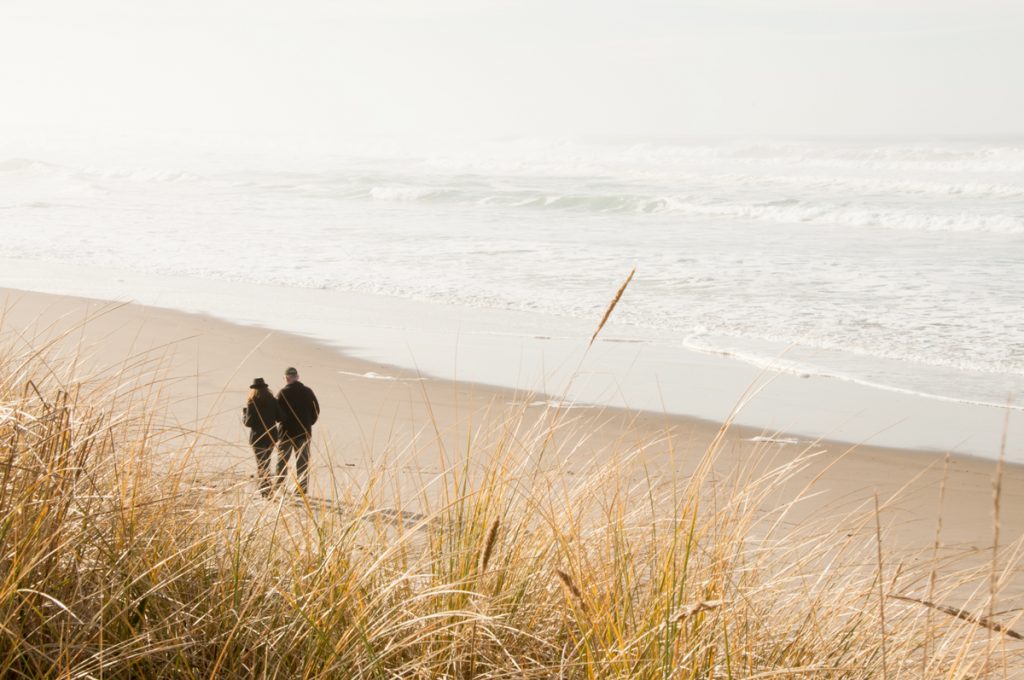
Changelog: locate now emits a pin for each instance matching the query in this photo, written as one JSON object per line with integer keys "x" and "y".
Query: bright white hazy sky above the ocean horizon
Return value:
{"x": 496, "y": 68}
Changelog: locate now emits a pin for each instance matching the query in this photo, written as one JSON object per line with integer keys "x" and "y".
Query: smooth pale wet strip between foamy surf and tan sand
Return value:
{"x": 536, "y": 354}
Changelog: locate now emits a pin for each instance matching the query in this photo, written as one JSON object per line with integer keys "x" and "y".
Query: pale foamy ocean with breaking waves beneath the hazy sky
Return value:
{"x": 892, "y": 264}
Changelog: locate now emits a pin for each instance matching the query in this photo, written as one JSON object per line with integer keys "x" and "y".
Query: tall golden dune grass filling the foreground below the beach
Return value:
{"x": 120, "y": 561}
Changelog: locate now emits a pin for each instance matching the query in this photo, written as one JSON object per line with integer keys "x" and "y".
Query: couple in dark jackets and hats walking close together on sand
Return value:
{"x": 296, "y": 409}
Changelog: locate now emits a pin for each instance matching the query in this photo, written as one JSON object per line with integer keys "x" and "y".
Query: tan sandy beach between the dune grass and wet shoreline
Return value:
{"x": 374, "y": 413}
